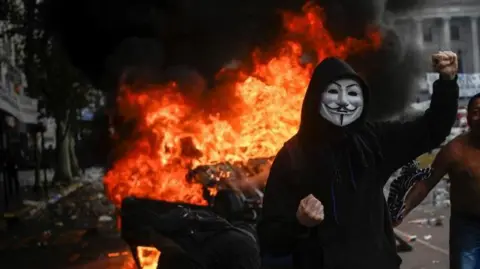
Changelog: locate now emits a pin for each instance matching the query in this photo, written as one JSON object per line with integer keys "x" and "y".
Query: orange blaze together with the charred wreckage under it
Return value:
{"x": 210, "y": 150}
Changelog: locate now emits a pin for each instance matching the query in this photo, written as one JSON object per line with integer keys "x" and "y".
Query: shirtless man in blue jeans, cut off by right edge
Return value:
{"x": 460, "y": 159}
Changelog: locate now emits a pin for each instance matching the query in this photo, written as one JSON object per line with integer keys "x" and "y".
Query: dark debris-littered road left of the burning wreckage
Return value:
{"x": 69, "y": 233}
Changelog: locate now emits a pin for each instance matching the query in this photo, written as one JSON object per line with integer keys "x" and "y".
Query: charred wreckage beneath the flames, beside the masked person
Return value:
{"x": 234, "y": 194}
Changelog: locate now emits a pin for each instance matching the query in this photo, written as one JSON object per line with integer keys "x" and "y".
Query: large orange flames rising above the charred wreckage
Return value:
{"x": 250, "y": 114}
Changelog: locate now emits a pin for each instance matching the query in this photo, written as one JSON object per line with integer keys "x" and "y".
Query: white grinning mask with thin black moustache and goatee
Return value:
{"x": 342, "y": 102}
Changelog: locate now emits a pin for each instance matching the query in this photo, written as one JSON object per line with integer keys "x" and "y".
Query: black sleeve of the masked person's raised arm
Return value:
{"x": 401, "y": 142}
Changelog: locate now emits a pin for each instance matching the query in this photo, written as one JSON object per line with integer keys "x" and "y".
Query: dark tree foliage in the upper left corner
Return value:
{"x": 49, "y": 73}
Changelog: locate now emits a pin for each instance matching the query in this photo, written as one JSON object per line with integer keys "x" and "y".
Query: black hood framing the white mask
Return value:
{"x": 313, "y": 125}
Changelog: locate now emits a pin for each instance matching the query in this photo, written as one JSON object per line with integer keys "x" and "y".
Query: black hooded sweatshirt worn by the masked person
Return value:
{"x": 346, "y": 169}
